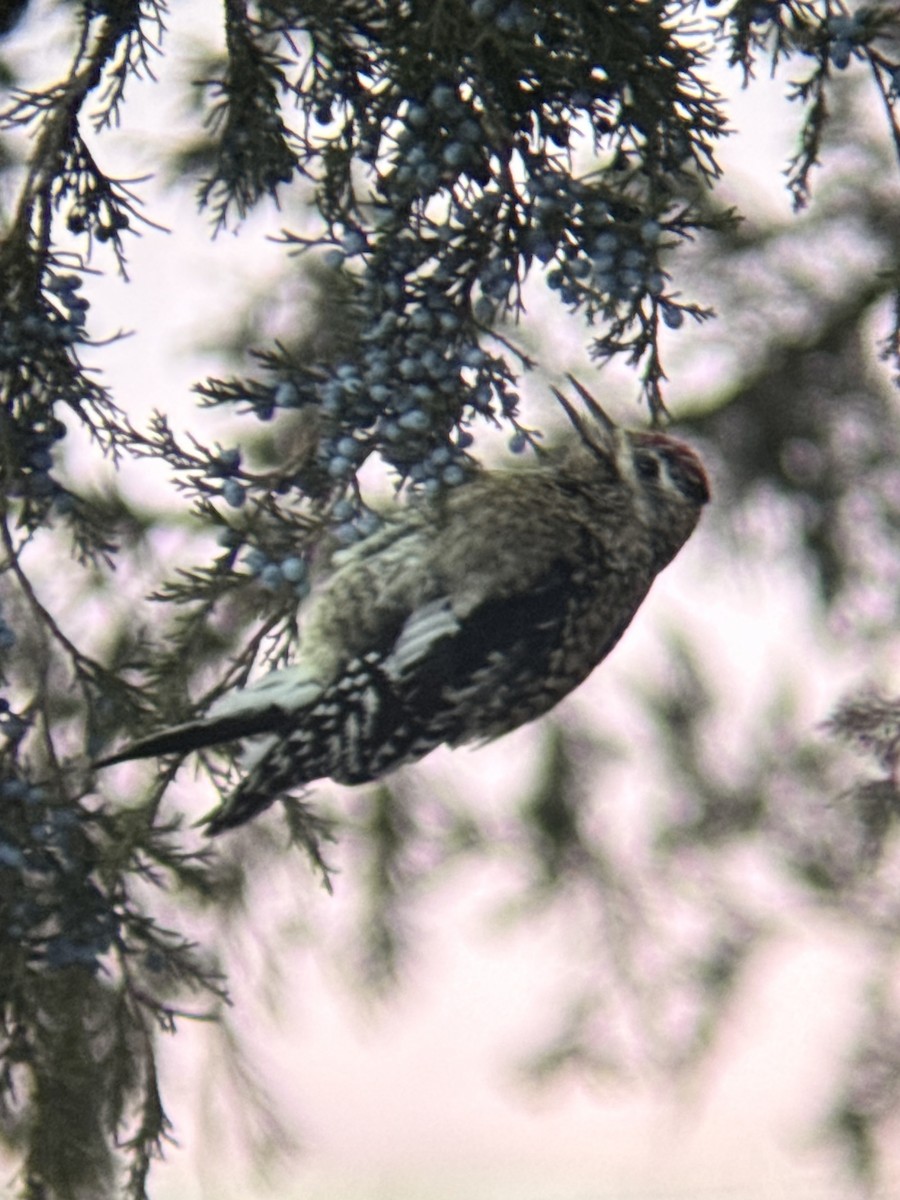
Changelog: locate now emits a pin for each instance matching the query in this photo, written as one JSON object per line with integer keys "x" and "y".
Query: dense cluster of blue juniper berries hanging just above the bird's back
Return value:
{"x": 421, "y": 373}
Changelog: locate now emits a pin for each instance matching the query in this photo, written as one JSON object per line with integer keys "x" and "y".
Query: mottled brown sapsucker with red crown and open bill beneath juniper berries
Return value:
{"x": 463, "y": 617}
